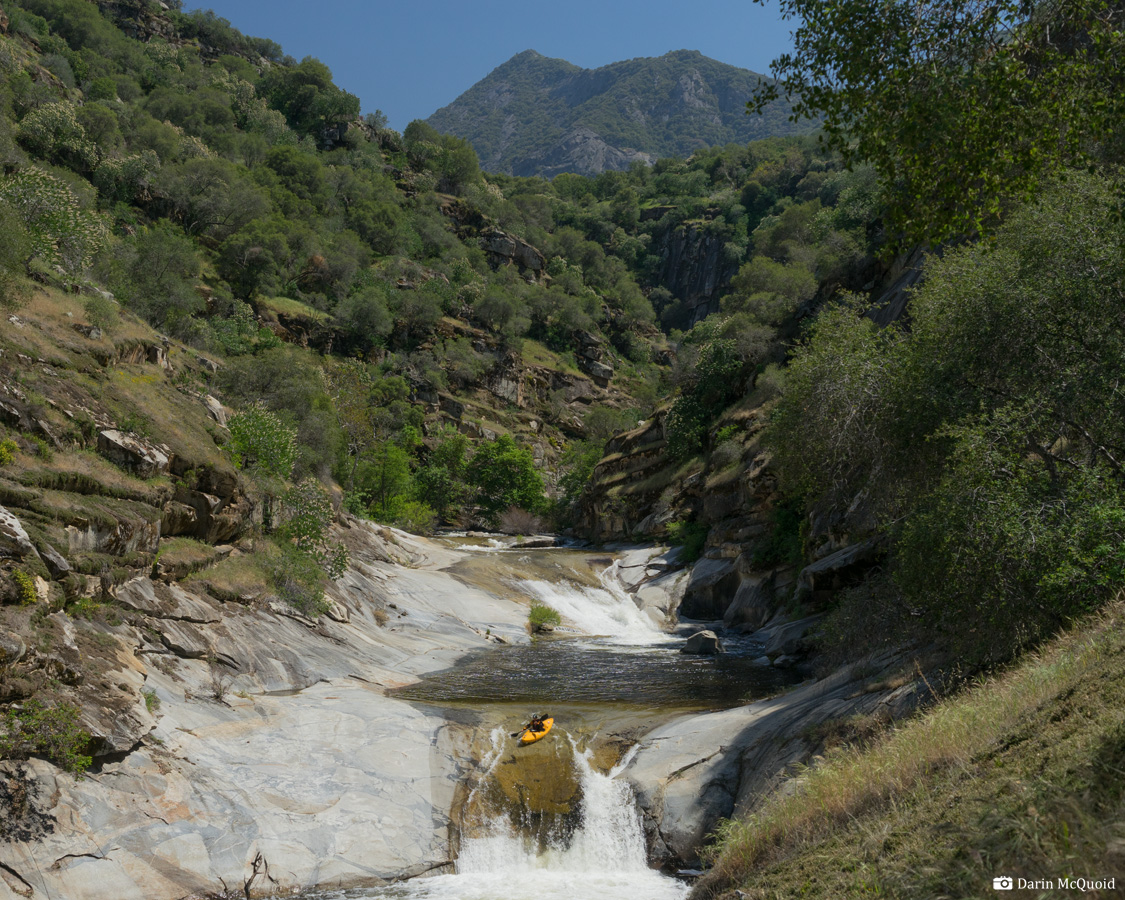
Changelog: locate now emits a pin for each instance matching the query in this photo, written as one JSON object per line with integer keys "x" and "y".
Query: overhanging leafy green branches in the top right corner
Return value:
{"x": 964, "y": 104}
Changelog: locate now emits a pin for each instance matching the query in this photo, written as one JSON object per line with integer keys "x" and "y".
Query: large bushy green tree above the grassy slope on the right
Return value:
{"x": 988, "y": 434}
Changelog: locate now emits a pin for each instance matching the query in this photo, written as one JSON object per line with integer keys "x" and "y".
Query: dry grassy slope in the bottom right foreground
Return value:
{"x": 1022, "y": 776}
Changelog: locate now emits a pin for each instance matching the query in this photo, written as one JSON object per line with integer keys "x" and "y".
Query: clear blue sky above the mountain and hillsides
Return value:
{"x": 410, "y": 58}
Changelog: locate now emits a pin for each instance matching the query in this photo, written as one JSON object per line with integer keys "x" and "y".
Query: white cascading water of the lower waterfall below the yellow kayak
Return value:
{"x": 602, "y": 859}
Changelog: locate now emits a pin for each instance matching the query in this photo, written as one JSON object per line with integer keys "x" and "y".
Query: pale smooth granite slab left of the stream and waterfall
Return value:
{"x": 305, "y": 760}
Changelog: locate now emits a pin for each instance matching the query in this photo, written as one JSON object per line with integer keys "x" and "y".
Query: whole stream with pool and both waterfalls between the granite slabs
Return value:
{"x": 555, "y": 820}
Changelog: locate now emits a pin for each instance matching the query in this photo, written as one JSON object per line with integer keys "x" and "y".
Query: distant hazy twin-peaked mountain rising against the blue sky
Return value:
{"x": 538, "y": 116}
